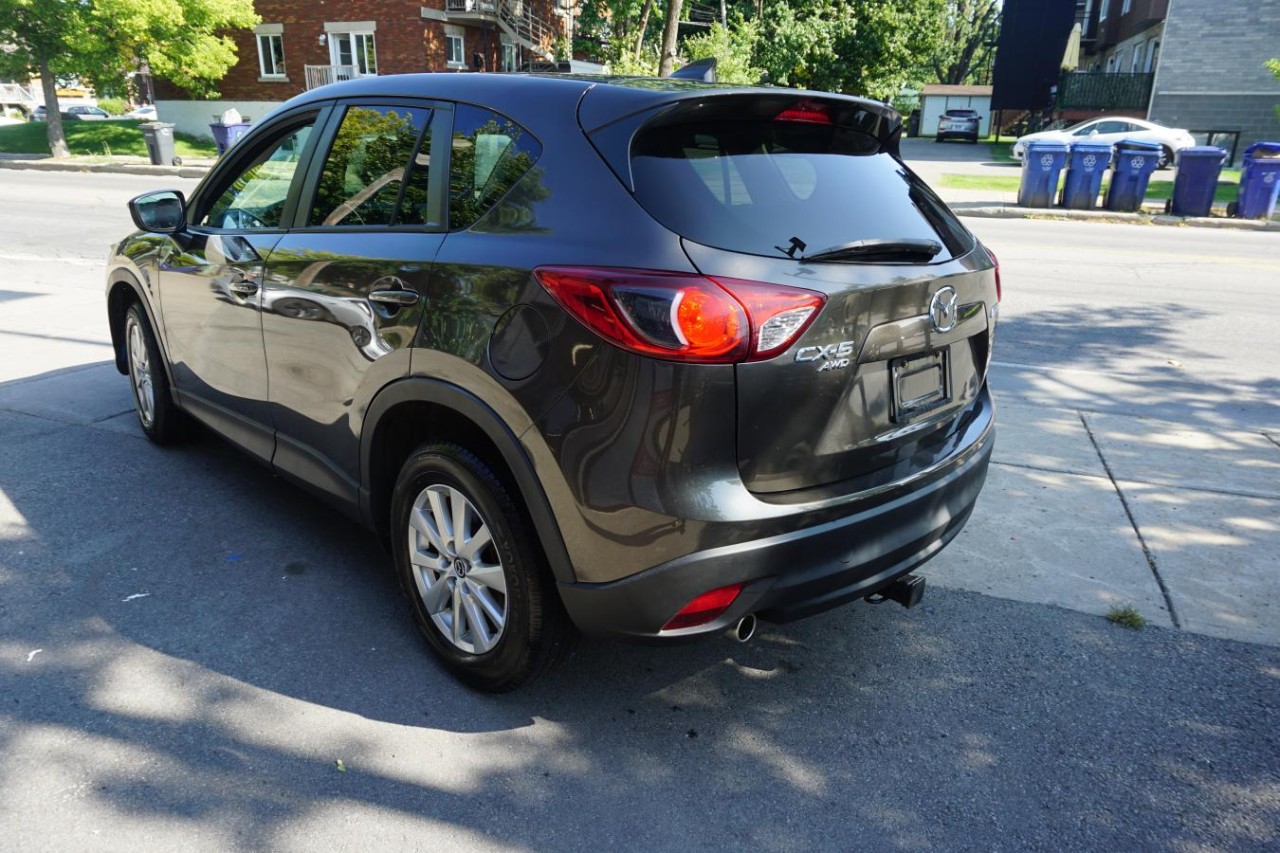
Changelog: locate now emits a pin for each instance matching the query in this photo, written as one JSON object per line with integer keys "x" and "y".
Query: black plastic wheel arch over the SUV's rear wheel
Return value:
{"x": 419, "y": 409}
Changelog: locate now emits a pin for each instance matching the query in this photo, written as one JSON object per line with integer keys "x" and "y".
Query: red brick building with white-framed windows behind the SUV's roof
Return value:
{"x": 303, "y": 44}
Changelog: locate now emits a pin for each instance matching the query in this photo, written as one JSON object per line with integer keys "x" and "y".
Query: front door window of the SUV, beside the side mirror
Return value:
{"x": 255, "y": 198}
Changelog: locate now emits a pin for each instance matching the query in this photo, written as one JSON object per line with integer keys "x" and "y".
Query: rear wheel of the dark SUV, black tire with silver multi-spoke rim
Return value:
{"x": 483, "y": 595}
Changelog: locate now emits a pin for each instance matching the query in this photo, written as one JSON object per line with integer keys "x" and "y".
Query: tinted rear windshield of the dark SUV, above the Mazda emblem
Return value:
{"x": 752, "y": 186}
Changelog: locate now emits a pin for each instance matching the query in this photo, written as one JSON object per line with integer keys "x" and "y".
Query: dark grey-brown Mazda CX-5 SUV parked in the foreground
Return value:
{"x": 634, "y": 358}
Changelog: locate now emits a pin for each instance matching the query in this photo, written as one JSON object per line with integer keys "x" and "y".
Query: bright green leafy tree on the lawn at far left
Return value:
{"x": 184, "y": 42}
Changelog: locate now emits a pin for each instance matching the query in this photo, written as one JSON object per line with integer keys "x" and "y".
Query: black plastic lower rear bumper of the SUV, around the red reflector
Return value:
{"x": 799, "y": 573}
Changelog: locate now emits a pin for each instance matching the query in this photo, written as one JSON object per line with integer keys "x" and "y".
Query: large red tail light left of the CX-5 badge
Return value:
{"x": 683, "y": 317}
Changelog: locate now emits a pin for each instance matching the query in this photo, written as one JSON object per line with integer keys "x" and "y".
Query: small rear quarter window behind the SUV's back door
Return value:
{"x": 490, "y": 154}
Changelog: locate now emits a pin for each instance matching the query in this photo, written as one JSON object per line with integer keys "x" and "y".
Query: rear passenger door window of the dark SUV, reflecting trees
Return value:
{"x": 377, "y": 170}
